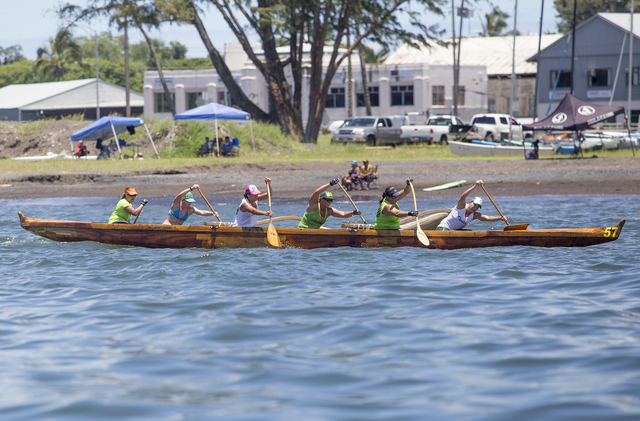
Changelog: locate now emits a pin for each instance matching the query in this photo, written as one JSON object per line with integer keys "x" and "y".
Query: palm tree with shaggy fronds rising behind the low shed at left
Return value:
{"x": 62, "y": 51}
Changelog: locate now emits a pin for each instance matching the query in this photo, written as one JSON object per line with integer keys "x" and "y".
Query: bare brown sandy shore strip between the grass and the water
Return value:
{"x": 592, "y": 176}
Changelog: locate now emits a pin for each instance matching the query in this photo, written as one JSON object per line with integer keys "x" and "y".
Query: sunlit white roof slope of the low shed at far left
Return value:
{"x": 17, "y": 96}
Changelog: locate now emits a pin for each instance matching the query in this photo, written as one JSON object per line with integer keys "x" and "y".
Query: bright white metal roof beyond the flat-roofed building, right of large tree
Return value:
{"x": 493, "y": 52}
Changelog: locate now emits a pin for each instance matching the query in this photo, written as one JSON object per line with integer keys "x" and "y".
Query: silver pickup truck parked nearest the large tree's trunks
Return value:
{"x": 373, "y": 131}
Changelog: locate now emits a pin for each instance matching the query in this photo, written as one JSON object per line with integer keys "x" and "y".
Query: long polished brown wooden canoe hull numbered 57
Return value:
{"x": 221, "y": 236}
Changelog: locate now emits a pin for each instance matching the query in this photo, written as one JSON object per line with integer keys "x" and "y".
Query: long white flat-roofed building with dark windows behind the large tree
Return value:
{"x": 394, "y": 89}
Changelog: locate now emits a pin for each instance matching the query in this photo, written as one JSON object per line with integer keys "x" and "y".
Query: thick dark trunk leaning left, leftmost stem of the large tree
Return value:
{"x": 225, "y": 74}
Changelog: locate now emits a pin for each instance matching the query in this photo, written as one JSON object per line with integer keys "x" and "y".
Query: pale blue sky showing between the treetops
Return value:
{"x": 30, "y": 23}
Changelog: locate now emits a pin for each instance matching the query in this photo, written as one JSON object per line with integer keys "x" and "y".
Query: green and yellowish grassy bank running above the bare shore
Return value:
{"x": 270, "y": 146}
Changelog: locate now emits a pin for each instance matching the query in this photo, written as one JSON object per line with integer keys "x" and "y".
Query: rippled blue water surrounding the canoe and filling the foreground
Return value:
{"x": 92, "y": 331}
